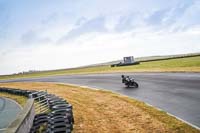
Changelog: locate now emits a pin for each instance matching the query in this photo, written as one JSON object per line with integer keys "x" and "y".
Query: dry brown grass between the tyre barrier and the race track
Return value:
{"x": 99, "y": 111}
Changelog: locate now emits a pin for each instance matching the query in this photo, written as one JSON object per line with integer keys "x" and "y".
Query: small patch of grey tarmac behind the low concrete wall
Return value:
{"x": 8, "y": 112}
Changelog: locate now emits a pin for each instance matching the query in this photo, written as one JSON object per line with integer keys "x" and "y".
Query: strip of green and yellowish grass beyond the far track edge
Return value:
{"x": 186, "y": 64}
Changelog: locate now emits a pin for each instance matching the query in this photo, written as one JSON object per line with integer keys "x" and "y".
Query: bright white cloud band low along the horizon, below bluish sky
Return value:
{"x": 99, "y": 47}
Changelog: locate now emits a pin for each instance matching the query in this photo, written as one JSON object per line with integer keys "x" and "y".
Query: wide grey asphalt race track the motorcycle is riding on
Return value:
{"x": 176, "y": 93}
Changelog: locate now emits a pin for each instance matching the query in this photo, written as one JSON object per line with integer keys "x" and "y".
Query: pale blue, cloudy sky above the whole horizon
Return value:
{"x": 54, "y": 34}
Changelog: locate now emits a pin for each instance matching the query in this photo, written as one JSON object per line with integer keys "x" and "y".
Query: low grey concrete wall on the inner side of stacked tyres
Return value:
{"x": 24, "y": 120}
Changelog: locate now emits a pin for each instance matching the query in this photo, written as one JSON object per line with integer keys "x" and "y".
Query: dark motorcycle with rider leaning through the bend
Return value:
{"x": 129, "y": 82}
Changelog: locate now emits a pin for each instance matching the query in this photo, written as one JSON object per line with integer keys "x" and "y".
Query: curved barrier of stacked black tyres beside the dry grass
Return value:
{"x": 58, "y": 120}
